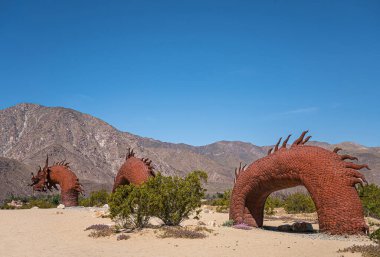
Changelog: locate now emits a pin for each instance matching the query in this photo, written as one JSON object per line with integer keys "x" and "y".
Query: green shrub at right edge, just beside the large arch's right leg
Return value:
{"x": 370, "y": 198}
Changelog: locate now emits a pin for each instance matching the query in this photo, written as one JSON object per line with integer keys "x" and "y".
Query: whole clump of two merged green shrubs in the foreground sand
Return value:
{"x": 172, "y": 199}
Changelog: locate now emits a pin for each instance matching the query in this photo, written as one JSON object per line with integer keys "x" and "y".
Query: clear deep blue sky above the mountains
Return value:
{"x": 200, "y": 71}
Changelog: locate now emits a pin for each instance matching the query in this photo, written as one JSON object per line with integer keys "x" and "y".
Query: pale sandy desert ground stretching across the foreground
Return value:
{"x": 56, "y": 232}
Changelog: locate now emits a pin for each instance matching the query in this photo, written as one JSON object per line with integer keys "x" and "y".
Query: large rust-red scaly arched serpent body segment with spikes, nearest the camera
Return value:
{"x": 328, "y": 177}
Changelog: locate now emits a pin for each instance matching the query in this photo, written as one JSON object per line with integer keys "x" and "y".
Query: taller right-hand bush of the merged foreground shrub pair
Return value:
{"x": 176, "y": 198}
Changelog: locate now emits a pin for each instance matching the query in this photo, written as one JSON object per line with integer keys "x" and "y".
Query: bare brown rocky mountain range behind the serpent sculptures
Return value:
{"x": 96, "y": 150}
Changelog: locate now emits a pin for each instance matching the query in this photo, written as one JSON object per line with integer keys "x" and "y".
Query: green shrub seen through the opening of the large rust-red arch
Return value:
{"x": 299, "y": 203}
